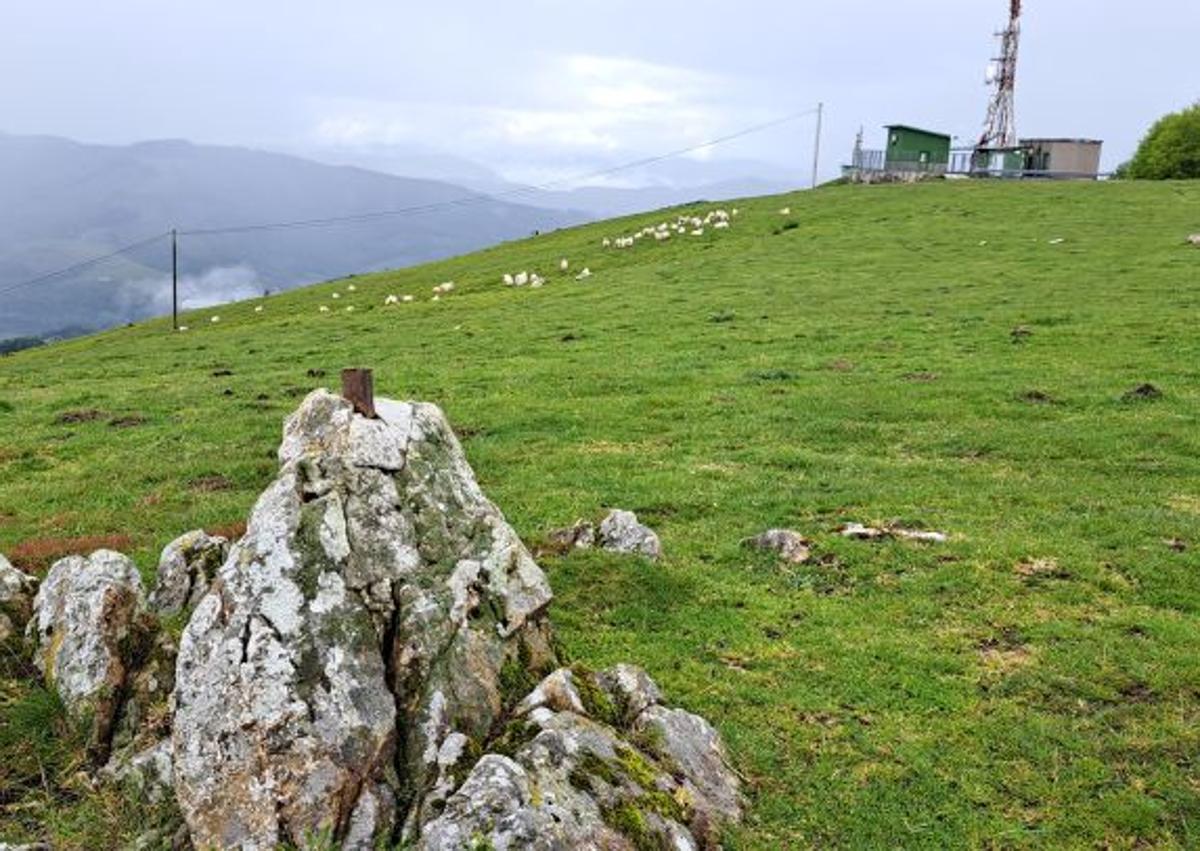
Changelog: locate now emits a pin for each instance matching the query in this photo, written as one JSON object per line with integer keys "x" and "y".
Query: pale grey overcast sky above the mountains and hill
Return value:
{"x": 538, "y": 89}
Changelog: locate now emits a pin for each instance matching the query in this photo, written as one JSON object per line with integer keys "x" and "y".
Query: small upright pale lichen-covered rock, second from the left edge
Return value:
{"x": 85, "y": 619}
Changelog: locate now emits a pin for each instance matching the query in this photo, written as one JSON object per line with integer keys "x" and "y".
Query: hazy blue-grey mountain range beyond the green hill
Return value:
{"x": 63, "y": 202}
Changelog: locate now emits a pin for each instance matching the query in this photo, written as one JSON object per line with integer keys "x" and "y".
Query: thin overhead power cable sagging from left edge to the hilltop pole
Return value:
{"x": 473, "y": 199}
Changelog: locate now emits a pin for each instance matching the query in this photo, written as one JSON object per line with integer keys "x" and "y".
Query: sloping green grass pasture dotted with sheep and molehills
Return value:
{"x": 1033, "y": 684}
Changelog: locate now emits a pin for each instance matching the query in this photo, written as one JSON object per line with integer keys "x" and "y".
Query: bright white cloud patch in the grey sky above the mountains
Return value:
{"x": 573, "y": 113}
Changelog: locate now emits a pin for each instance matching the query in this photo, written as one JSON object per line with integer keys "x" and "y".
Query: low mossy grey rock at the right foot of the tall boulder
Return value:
{"x": 573, "y": 781}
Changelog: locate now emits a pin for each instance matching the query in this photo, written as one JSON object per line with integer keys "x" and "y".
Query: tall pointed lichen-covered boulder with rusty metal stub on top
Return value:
{"x": 377, "y": 618}
